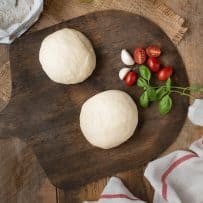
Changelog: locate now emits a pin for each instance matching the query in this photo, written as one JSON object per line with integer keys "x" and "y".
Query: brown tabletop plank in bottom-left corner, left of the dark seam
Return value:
{"x": 21, "y": 175}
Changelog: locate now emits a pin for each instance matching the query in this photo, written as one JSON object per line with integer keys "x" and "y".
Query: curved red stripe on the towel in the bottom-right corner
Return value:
{"x": 170, "y": 169}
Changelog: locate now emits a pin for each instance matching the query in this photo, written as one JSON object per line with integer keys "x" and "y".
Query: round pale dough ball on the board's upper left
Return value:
{"x": 67, "y": 56}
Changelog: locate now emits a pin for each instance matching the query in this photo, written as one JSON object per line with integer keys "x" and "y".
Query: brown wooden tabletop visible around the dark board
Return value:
{"x": 21, "y": 178}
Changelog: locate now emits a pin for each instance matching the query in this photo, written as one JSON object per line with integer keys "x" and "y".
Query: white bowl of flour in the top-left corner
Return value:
{"x": 9, "y": 12}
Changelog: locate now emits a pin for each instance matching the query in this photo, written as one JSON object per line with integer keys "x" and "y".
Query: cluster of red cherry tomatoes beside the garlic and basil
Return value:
{"x": 148, "y": 55}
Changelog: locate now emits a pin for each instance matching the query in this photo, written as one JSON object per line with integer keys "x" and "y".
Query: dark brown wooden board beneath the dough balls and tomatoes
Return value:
{"x": 46, "y": 114}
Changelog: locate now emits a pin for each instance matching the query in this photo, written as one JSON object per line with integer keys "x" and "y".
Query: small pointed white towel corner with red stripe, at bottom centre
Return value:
{"x": 116, "y": 192}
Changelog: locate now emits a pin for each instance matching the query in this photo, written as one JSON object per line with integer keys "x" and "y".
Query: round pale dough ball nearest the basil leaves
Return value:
{"x": 109, "y": 118}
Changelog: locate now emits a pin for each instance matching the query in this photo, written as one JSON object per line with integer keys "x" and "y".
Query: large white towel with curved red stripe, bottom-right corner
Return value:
{"x": 178, "y": 177}
